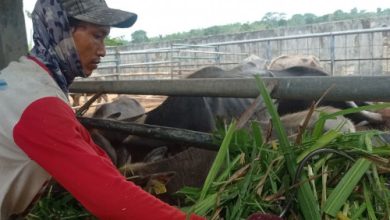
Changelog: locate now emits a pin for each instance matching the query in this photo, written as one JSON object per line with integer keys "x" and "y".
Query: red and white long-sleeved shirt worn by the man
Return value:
{"x": 40, "y": 139}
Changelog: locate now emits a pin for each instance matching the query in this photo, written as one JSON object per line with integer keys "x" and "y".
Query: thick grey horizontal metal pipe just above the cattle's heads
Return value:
{"x": 358, "y": 88}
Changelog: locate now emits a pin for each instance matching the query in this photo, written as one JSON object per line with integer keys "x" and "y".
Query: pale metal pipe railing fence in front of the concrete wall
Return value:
{"x": 356, "y": 52}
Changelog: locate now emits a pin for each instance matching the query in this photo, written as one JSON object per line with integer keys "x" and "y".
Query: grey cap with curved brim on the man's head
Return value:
{"x": 97, "y": 12}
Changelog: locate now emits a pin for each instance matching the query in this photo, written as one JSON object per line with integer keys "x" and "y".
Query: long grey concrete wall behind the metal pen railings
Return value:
{"x": 370, "y": 52}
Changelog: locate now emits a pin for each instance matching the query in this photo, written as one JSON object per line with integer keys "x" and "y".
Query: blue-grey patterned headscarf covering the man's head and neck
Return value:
{"x": 54, "y": 44}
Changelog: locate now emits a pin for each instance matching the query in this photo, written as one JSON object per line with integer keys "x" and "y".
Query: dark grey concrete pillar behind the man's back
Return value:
{"x": 13, "y": 40}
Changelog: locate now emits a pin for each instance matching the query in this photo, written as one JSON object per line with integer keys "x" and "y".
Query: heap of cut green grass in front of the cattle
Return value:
{"x": 327, "y": 175}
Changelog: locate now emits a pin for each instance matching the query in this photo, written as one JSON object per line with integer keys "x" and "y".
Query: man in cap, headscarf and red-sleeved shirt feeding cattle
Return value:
{"x": 40, "y": 138}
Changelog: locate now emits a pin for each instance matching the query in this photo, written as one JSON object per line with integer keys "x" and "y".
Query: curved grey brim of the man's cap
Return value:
{"x": 109, "y": 17}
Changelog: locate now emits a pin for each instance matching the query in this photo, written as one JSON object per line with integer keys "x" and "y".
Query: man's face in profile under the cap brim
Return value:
{"x": 89, "y": 41}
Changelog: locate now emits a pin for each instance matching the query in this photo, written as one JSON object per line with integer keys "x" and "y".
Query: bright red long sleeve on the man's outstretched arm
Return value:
{"x": 49, "y": 134}
